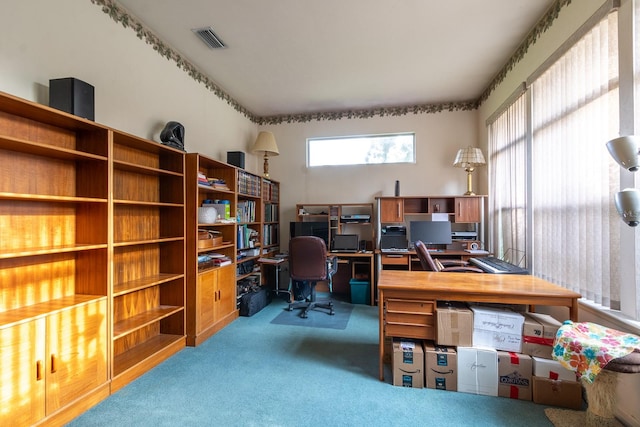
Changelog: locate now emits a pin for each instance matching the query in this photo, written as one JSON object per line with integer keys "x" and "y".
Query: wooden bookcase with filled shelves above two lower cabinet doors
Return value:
{"x": 211, "y": 291}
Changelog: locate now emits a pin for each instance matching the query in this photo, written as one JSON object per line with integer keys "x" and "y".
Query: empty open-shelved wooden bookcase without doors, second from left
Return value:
{"x": 148, "y": 306}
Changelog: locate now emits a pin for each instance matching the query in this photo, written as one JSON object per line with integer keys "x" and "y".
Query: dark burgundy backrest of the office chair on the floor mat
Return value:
{"x": 307, "y": 258}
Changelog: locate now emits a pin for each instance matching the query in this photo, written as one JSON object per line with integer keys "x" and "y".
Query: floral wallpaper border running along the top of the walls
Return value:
{"x": 118, "y": 14}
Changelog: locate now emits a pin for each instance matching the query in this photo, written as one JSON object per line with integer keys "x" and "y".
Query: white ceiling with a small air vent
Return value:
{"x": 304, "y": 56}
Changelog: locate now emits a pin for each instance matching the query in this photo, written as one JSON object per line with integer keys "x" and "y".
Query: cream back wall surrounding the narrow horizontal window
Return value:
{"x": 438, "y": 138}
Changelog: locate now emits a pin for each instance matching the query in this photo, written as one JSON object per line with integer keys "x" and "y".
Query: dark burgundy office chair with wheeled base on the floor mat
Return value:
{"x": 308, "y": 263}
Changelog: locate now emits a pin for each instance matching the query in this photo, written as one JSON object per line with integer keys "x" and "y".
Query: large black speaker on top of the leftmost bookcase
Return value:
{"x": 72, "y": 96}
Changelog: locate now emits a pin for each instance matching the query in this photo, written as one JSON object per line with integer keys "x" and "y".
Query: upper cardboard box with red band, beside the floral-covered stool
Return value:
{"x": 538, "y": 334}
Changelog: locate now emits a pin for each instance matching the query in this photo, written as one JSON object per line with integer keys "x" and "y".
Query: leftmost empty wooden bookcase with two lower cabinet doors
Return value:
{"x": 54, "y": 257}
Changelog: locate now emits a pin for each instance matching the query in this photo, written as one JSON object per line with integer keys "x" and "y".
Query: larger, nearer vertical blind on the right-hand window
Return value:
{"x": 575, "y": 111}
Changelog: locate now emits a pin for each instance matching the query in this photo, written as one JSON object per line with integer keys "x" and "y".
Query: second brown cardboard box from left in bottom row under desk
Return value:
{"x": 441, "y": 367}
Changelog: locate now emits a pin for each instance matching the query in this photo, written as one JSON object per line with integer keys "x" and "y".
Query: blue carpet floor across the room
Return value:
{"x": 256, "y": 373}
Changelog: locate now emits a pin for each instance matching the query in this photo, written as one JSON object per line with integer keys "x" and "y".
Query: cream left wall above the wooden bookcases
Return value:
{"x": 136, "y": 90}
